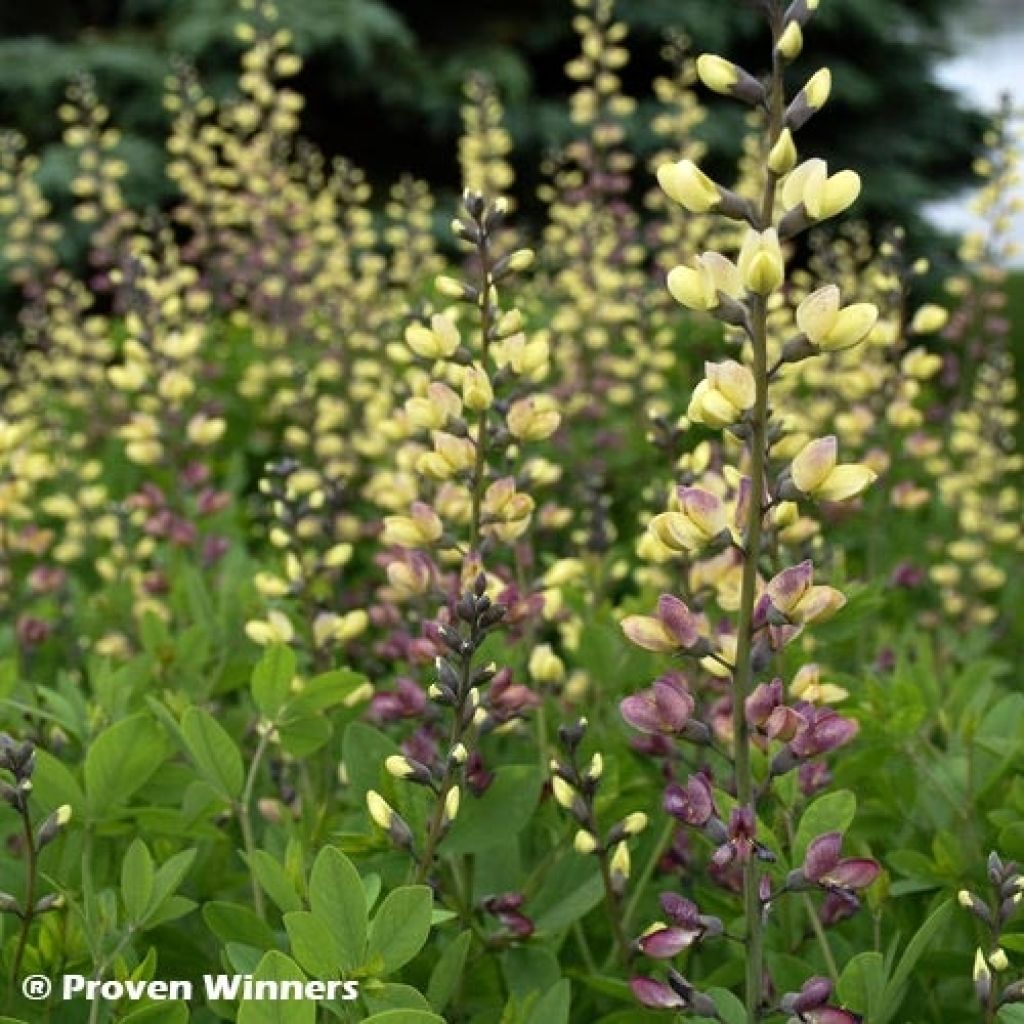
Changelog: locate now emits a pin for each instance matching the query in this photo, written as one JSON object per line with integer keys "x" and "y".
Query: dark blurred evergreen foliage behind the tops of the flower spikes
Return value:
{"x": 383, "y": 81}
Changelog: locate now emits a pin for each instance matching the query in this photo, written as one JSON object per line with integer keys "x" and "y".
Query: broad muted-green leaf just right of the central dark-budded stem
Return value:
{"x": 499, "y": 816}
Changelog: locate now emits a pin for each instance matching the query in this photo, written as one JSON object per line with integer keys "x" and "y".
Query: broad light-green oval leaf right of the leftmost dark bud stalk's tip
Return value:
{"x": 120, "y": 761}
